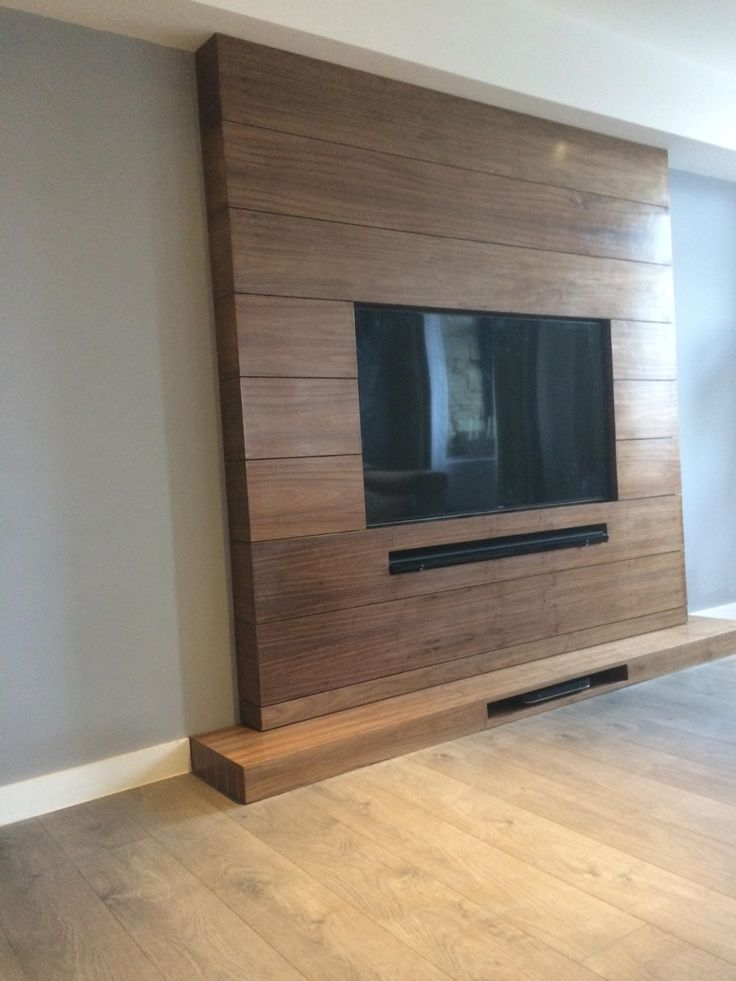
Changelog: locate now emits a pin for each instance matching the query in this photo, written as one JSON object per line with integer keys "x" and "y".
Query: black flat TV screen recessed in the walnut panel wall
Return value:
{"x": 467, "y": 413}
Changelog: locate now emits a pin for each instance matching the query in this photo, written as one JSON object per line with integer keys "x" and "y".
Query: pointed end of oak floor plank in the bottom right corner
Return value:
{"x": 650, "y": 954}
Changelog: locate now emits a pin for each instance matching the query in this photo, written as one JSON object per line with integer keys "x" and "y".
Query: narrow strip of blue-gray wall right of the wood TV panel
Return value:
{"x": 704, "y": 255}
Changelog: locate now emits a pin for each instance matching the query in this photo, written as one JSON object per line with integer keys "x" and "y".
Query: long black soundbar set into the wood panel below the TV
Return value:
{"x": 460, "y": 553}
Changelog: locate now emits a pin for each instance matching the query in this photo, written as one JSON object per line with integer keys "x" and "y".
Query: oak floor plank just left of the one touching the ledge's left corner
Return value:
{"x": 186, "y": 931}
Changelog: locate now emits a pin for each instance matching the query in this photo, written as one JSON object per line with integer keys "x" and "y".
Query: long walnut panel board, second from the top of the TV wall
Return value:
{"x": 295, "y": 175}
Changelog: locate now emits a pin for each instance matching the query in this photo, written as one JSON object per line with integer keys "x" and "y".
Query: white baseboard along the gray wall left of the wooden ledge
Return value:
{"x": 52, "y": 791}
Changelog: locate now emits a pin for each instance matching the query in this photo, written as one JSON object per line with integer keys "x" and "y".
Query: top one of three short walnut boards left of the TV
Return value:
{"x": 270, "y": 336}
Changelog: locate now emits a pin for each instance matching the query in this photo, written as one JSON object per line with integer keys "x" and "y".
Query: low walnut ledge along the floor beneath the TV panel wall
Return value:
{"x": 248, "y": 765}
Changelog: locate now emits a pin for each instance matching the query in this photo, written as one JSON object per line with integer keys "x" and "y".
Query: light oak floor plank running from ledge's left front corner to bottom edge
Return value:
{"x": 328, "y": 938}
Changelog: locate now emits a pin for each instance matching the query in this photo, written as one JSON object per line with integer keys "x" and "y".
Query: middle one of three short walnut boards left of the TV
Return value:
{"x": 288, "y": 417}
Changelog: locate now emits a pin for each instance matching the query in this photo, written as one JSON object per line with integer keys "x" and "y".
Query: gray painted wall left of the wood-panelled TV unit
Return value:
{"x": 114, "y": 617}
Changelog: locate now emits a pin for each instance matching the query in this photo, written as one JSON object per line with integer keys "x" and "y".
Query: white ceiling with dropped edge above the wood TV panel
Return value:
{"x": 656, "y": 71}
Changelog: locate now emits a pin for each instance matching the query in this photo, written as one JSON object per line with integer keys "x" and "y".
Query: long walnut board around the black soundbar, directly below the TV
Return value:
{"x": 299, "y": 577}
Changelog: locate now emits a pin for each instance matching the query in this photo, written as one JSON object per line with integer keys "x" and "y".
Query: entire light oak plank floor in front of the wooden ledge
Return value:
{"x": 593, "y": 841}
